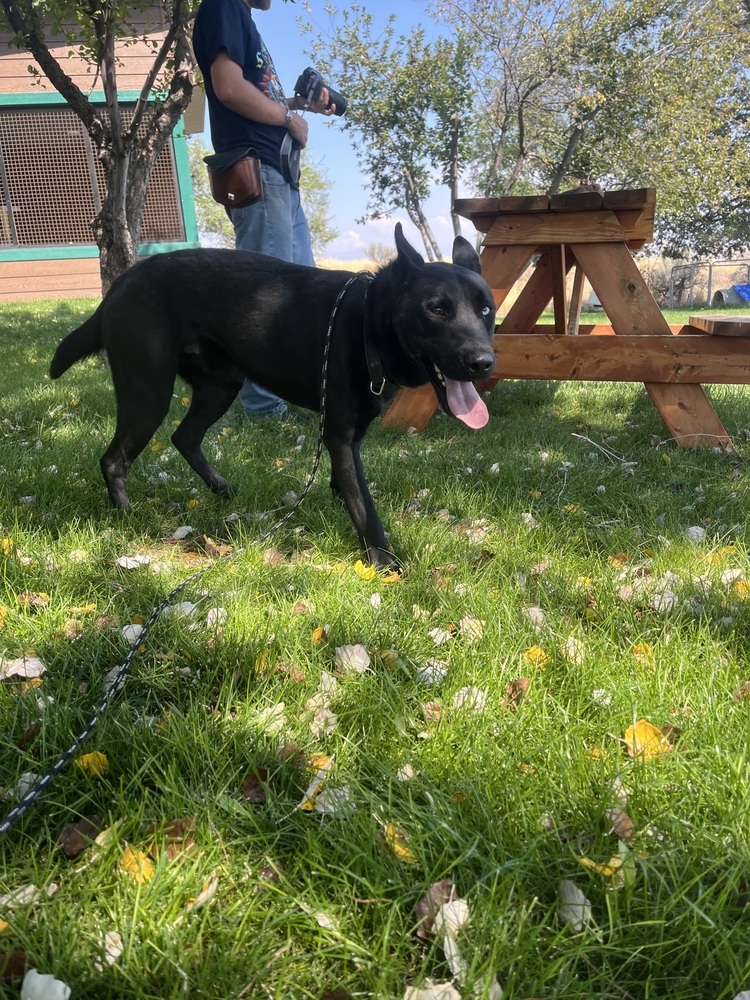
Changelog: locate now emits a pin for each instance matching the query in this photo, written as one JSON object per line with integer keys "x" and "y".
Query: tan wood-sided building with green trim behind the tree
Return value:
{"x": 51, "y": 182}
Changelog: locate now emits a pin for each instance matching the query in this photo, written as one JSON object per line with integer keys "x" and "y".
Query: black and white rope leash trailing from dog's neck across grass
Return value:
{"x": 38, "y": 789}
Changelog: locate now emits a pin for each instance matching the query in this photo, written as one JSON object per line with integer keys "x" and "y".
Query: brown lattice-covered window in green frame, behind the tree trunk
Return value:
{"x": 51, "y": 183}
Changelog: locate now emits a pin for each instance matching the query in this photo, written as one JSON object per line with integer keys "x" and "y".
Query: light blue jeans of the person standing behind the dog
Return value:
{"x": 275, "y": 225}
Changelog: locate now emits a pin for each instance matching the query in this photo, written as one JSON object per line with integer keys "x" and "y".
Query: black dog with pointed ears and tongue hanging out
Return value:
{"x": 216, "y": 316}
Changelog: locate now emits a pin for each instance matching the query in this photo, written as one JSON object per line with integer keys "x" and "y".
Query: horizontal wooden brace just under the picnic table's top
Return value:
{"x": 560, "y": 227}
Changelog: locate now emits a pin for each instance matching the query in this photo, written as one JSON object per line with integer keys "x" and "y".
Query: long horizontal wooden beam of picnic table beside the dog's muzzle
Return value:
{"x": 683, "y": 360}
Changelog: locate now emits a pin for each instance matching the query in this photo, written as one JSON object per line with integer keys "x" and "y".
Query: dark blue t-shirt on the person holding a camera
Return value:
{"x": 228, "y": 26}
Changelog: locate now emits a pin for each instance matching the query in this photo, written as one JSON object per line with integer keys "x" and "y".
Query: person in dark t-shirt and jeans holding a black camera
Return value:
{"x": 247, "y": 107}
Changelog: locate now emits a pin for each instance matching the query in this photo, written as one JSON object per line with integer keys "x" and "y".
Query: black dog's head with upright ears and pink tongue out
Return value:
{"x": 444, "y": 316}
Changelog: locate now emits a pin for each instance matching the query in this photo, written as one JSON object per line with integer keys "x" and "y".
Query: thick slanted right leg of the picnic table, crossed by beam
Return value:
{"x": 627, "y": 301}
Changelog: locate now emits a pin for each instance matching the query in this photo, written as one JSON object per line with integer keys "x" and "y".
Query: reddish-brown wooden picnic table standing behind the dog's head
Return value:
{"x": 593, "y": 234}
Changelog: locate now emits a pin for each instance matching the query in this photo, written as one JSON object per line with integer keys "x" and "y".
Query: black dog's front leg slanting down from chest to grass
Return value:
{"x": 348, "y": 479}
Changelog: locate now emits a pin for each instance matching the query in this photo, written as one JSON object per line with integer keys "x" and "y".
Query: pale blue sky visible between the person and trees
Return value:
{"x": 330, "y": 146}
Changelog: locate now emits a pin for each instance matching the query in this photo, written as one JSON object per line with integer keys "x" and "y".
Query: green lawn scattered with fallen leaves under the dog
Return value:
{"x": 568, "y": 496}
